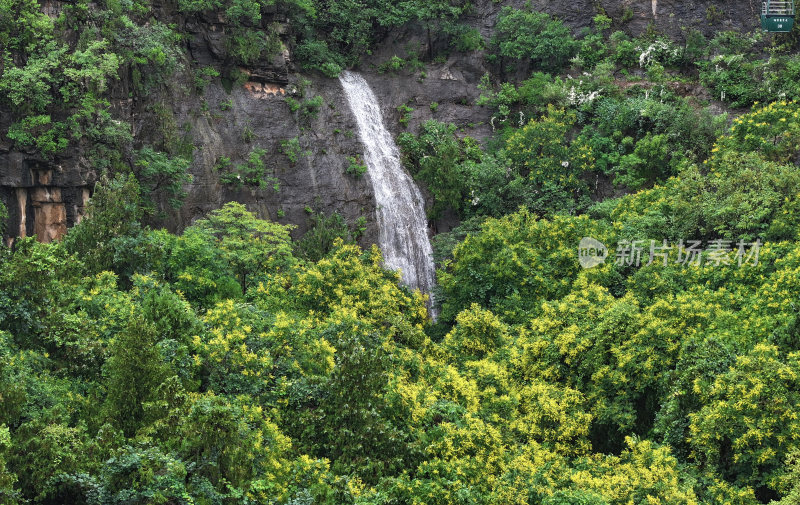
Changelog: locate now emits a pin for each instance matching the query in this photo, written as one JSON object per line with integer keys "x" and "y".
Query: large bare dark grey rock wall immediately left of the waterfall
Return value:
{"x": 258, "y": 116}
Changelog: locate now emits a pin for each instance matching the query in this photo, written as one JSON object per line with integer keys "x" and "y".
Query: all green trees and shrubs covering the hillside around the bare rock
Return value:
{"x": 231, "y": 363}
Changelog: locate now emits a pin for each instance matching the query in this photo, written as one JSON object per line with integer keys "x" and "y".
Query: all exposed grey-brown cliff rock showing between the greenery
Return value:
{"x": 46, "y": 197}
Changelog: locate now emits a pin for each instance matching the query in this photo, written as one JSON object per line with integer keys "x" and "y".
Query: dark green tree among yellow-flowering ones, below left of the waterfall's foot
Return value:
{"x": 347, "y": 418}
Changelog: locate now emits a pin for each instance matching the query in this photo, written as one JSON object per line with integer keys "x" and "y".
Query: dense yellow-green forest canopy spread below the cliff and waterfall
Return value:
{"x": 219, "y": 365}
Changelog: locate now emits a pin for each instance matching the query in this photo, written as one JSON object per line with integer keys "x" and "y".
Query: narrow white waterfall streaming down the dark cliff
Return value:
{"x": 400, "y": 207}
